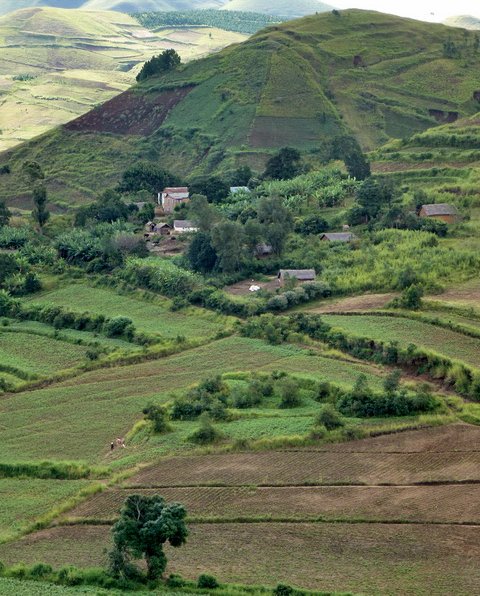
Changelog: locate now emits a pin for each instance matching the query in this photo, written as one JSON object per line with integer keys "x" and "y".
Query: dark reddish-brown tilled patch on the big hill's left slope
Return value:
{"x": 130, "y": 113}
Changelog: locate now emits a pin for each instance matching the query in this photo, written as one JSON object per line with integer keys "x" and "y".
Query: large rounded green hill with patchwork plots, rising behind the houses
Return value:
{"x": 300, "y": 83}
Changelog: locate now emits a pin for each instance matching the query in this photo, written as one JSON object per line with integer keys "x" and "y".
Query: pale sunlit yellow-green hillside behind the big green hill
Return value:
{"x": 57, "y": 64}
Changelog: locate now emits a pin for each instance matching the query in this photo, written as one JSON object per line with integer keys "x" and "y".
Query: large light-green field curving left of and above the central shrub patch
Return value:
{"x": 77, "y": 419}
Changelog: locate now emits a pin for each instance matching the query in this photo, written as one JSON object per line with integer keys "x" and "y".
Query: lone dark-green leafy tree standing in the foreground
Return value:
{"x": 145, "y": 525}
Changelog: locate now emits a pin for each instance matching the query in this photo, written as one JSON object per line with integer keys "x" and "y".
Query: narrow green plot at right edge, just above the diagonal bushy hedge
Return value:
{"x": 406, "y": 331}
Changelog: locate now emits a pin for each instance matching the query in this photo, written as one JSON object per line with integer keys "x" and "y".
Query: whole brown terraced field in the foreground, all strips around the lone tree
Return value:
{"x": 434, "y": 549}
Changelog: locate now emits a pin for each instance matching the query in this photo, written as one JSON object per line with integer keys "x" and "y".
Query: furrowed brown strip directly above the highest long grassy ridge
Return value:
{"x": 309, "y": 468}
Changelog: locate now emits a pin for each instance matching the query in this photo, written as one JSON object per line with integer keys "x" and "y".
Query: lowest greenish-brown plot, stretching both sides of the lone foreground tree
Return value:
{"x": 384, "y": 559}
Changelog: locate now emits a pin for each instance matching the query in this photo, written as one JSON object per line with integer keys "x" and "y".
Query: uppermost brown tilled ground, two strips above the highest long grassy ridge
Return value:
{"x": 442, "y": 454}
